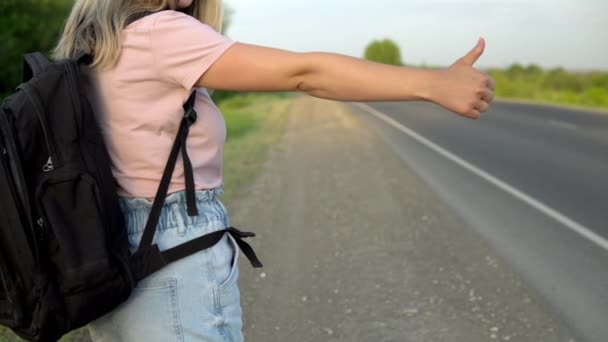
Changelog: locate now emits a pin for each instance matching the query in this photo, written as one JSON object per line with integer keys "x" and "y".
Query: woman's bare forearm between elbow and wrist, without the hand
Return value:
{"x": 345, "y": 78}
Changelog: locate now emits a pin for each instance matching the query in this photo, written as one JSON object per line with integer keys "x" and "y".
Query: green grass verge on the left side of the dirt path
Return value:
{"x": 254, "y": 122}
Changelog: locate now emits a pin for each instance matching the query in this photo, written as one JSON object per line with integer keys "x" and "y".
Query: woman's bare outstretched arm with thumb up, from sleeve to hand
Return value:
{"x": 459, "y": 88}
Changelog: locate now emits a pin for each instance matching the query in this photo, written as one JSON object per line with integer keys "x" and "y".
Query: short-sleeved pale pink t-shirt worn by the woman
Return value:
{"x": 162, "y": 57}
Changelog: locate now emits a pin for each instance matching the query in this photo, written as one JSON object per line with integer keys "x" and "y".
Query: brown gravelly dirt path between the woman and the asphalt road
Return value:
{"x": 357, "y": 248}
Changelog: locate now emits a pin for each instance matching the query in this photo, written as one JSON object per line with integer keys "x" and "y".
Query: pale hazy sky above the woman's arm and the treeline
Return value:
{"x": 551, "y": 33}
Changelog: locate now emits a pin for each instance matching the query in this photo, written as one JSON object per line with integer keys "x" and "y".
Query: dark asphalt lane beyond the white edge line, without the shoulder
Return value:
{"x": 558, "y": 156}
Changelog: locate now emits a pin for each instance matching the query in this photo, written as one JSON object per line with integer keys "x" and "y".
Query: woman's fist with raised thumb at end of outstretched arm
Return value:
{"x": 461, "y": 88}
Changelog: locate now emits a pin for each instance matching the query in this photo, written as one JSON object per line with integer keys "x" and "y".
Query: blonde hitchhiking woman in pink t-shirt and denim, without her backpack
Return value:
{"x": 146, "y": 70}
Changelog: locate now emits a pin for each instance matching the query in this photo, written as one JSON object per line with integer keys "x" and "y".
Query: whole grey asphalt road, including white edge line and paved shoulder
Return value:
{"x": 535, "y": 187}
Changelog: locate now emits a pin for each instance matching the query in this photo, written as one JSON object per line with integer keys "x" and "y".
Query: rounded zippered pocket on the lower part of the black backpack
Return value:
{"x": 73, "y": 225}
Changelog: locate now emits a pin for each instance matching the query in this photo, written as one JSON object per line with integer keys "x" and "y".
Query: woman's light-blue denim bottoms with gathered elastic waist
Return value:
{"x": 193, "y": 299}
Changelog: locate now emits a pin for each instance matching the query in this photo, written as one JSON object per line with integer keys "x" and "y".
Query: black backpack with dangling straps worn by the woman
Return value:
{"x": 64, "y": 256}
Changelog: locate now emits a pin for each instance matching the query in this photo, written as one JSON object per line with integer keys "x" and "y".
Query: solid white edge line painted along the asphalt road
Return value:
{"x": 554, "y": 214}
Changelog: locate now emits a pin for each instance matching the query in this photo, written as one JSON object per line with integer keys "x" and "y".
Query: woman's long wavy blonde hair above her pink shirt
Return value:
{"x": 94, "y": 26}
